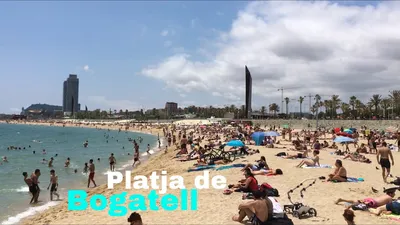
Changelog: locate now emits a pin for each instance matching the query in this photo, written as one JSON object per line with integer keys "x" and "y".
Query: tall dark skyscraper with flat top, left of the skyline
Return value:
{"x": 71, "y": 95}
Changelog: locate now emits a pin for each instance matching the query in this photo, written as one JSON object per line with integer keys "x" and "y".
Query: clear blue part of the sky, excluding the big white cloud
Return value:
{"x": 109, "y": 44}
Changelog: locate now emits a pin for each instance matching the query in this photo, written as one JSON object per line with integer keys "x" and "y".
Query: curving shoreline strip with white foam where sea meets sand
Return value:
{"x": 32, "y": 211}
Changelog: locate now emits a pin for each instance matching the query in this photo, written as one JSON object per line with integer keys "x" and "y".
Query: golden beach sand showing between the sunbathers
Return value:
{"x": 216, "y": 208}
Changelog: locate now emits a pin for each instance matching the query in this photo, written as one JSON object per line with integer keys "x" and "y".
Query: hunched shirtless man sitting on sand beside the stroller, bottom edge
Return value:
{"x": 259, "y": 209}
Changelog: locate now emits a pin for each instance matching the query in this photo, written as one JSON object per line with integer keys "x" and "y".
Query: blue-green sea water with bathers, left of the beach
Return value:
{"x": 60, "y": 143}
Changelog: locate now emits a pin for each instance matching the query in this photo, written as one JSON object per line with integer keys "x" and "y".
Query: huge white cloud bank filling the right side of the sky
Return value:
{"x": 319, "y": 47}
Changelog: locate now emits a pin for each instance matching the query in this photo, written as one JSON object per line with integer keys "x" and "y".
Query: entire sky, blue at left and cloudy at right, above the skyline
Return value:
{"x": 138, "y": 55}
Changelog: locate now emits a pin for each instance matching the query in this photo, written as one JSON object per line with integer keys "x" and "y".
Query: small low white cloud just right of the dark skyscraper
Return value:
{"x": 105, "y": 104}
